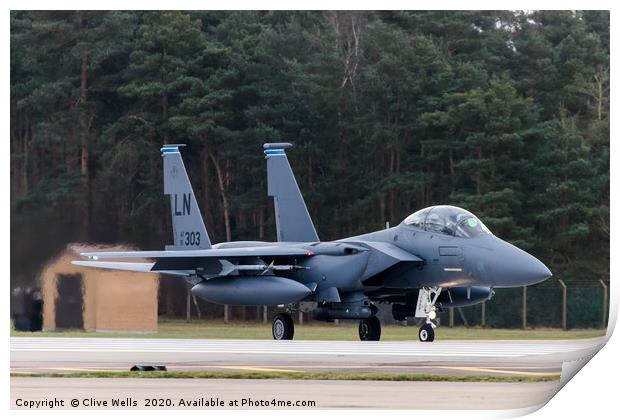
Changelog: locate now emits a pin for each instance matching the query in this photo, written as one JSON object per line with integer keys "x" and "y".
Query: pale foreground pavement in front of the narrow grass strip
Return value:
{"x": 325, "y": 394}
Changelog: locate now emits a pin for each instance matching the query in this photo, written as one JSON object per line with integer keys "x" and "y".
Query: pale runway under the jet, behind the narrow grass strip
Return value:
{"x": 533, "y": 357}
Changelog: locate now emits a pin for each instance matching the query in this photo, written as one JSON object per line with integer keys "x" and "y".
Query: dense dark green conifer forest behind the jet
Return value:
{"x": 503, "y": 113}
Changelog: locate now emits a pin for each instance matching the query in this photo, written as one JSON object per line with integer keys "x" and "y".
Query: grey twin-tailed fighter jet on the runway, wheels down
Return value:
{"x": 438, "y": 257}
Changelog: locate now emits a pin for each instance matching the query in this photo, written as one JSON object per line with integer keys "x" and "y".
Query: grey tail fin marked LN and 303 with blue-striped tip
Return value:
{"x": 187, "y": 224}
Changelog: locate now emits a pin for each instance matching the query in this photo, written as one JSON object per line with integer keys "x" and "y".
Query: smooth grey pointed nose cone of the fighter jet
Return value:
{"x": 516, "y": 267}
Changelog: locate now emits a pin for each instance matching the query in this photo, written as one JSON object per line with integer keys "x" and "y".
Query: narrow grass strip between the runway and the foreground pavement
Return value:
{"x": 327, "y": 375}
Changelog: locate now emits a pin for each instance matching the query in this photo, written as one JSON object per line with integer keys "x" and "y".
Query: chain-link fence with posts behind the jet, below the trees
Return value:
{"x": 552, "y": 304}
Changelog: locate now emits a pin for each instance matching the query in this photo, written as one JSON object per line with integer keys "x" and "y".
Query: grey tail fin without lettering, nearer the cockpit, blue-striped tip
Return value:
{"x": 293, "y": 222}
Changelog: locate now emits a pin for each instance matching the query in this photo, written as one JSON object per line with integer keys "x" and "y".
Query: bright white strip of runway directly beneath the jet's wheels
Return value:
{"x": 499, "y": 349}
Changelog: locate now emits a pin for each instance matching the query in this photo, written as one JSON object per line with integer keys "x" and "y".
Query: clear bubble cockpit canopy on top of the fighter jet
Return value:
{"x": 449, "y": 220}
